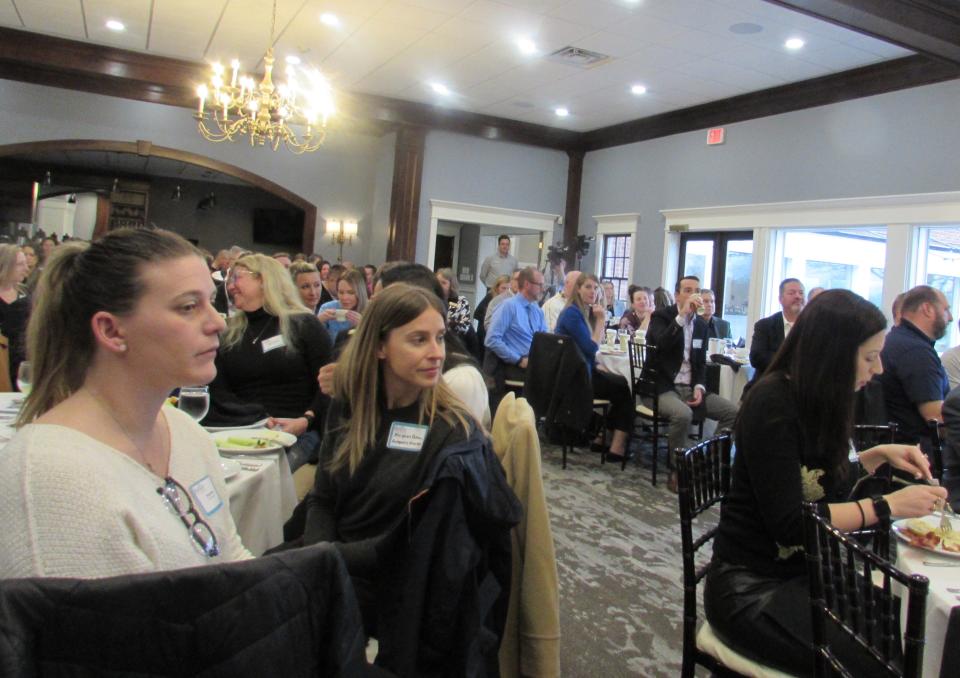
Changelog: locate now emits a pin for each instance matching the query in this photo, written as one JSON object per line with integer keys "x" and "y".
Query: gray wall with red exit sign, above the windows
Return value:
{"x": 903, "y": 142}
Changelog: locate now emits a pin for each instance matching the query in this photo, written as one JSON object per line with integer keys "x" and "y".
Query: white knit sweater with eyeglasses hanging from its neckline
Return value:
{"x": 71, "y": 506}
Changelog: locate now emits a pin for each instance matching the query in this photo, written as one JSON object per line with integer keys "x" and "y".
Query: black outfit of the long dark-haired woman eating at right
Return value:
{"x": 757, "y": 596}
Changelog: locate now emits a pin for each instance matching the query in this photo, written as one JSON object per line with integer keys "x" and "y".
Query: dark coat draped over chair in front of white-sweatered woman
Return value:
{"x": 292, "y": 614}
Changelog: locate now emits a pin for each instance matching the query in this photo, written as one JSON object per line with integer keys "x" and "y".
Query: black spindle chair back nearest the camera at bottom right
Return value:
{"x": 851, "y": 588}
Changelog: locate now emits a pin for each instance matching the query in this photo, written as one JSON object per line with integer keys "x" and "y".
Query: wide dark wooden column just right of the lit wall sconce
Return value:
{"x": 405, "y": 196}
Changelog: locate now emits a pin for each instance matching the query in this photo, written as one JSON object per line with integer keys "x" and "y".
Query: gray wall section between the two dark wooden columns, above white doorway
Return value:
{"x": 496, "y": 173}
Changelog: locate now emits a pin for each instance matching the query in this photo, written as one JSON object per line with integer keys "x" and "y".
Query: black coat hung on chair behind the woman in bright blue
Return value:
{"x": 557, "y": 384}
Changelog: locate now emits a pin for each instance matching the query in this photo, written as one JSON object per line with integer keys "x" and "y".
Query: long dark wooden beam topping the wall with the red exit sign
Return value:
{"x": 867, "y": 81}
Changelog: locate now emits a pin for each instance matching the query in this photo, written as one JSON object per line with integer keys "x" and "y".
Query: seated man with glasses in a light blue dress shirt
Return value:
{"x": 511, "y": 332}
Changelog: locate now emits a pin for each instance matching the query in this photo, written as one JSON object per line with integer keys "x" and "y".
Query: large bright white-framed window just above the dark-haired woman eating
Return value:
{"x": 839, "y": 258}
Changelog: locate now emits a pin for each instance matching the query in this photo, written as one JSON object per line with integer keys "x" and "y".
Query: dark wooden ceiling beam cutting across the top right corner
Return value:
{"x": 930, "y": 27}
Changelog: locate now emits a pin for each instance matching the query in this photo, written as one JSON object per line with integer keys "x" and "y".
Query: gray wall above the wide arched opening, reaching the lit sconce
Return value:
{"x": 339, "y": 178}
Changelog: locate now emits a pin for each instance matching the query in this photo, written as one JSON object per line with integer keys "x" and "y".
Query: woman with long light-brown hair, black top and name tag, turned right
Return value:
{"x": 392, "y": 420}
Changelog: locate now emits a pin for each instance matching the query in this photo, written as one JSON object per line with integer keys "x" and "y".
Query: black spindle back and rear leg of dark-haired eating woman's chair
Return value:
{"x": 703, "y": 480}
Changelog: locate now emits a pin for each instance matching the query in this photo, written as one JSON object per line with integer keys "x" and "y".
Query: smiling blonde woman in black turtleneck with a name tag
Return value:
{"x": 269, "y": 356}
